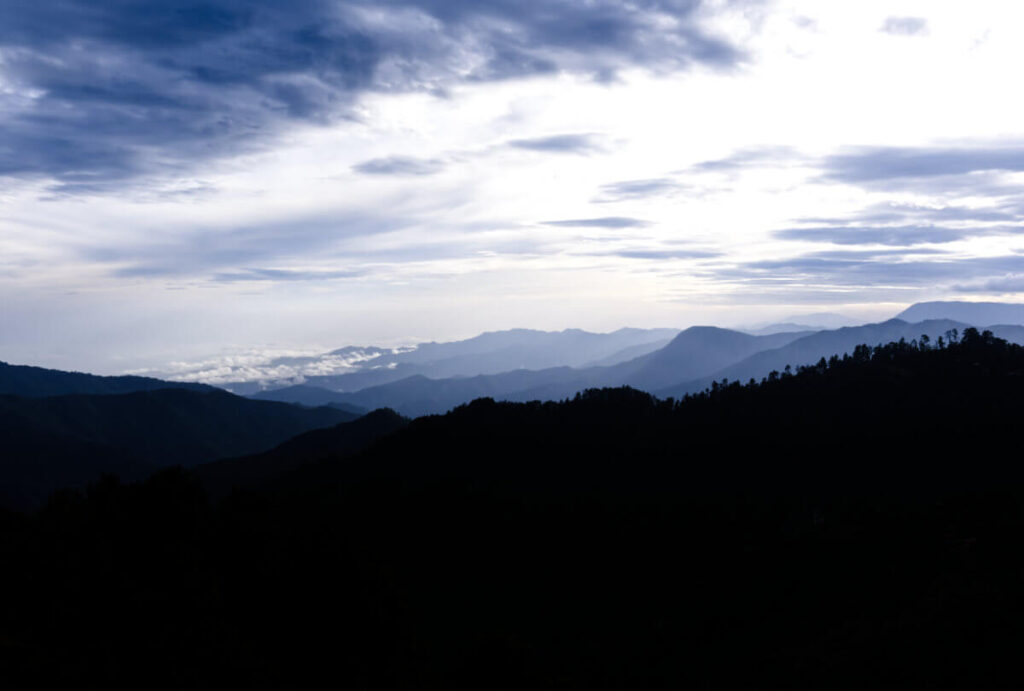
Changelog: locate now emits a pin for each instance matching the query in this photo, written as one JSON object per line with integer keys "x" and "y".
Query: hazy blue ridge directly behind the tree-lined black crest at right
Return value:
{"x": 809, "y": 350}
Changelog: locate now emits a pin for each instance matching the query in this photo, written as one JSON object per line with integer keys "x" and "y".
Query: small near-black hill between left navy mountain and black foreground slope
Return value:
{"x": 335, "y": 443}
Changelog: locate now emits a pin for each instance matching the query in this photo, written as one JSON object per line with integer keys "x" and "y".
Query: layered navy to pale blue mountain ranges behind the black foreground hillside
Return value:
{"x": 64, "y": 429}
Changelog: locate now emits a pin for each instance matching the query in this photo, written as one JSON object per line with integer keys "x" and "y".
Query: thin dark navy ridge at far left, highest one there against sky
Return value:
{"x": 23, "y": 380}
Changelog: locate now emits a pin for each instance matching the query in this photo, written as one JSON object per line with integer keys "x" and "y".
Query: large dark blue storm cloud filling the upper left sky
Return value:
{"x": 101, "y": 92}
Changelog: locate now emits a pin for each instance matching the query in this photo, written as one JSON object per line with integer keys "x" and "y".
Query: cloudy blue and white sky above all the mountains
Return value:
{"x": 240, "y": 179}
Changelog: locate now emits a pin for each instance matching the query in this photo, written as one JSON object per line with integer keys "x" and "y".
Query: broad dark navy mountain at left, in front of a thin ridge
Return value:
{"x": 68, "y": 441}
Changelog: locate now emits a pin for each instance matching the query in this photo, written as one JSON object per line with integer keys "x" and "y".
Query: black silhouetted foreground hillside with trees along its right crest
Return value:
{"x": 854, "y": 526}
